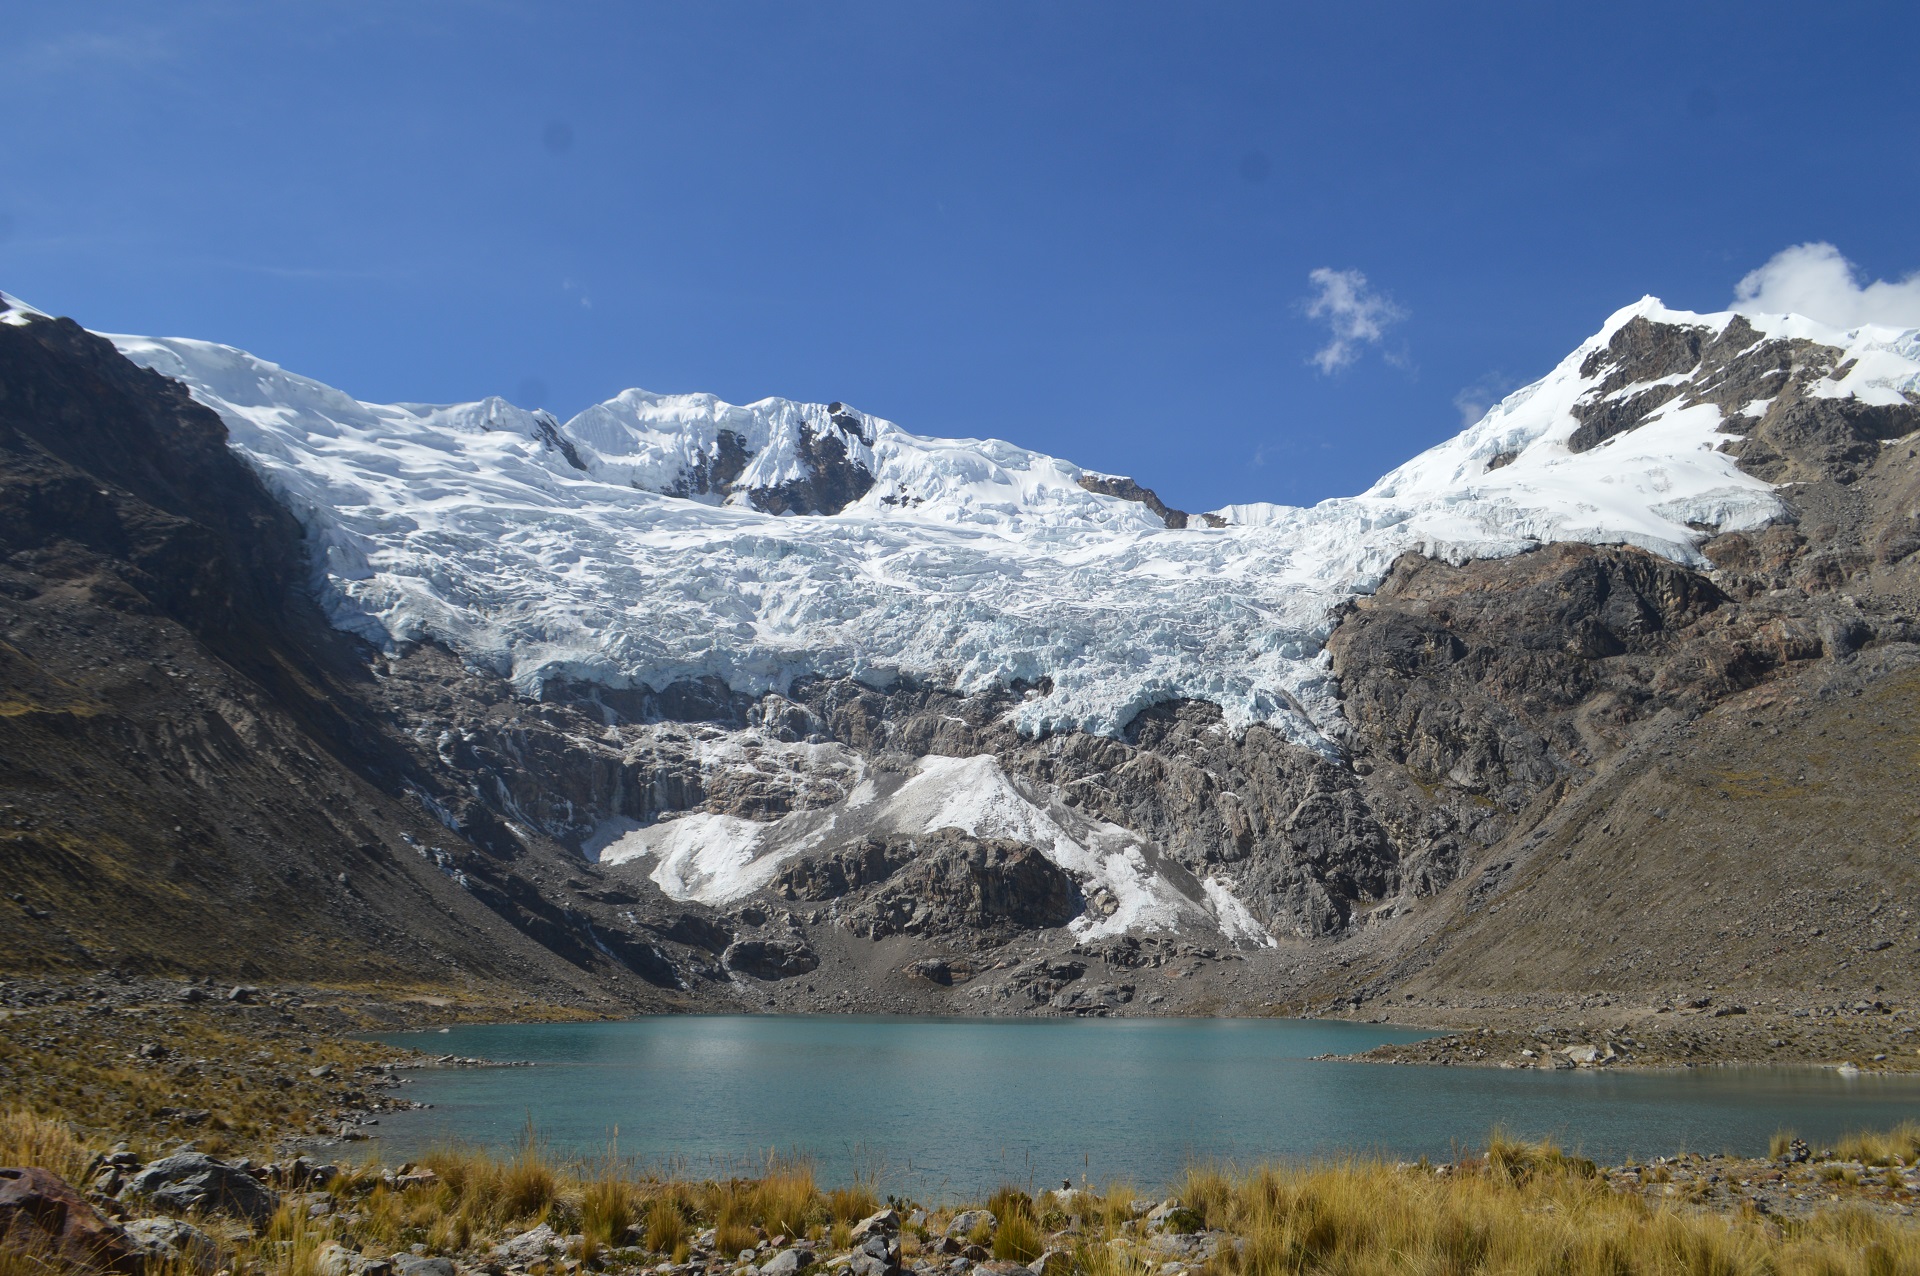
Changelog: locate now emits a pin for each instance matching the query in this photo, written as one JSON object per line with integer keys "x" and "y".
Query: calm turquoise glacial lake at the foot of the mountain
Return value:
{"x": 942, "y": 1108}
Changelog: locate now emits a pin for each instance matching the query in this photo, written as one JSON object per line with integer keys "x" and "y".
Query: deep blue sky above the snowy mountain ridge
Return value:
{"x": 1092, "y": 229}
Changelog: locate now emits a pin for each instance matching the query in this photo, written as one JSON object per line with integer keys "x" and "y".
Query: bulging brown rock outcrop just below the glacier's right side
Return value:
{"x": 1508, "y": 676}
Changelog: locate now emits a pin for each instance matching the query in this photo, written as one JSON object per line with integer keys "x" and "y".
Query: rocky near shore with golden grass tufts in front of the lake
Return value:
{"x": 1510, "y": 1208}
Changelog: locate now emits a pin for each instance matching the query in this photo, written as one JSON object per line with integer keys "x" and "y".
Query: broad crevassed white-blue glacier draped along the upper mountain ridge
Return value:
{"x": 971, "y": 561}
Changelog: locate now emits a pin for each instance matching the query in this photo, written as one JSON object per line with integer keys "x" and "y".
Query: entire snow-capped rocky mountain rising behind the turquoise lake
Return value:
{"x": 802, "y": 694}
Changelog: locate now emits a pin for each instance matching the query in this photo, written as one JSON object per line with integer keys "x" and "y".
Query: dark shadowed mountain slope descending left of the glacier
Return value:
{"x": 189, "y": 774}
